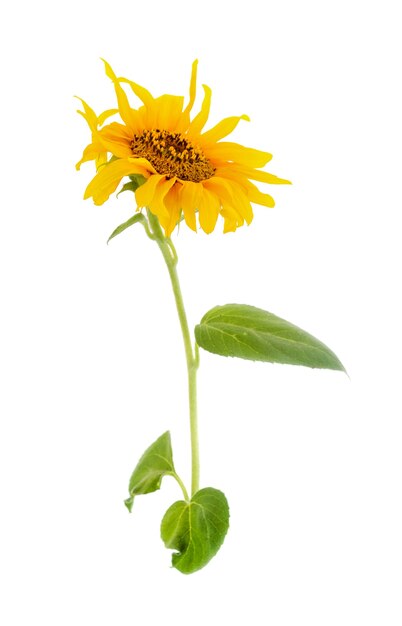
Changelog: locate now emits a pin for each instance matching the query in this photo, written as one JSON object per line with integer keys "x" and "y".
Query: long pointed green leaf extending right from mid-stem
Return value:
{"x": 249, "y": 333}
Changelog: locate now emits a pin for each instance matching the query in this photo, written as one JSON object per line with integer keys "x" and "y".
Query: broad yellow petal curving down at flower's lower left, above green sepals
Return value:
{"x": 109, "y": 176}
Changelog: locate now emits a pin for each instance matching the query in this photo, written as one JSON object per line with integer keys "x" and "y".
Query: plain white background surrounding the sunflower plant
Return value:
{"x": 92, "y": 365}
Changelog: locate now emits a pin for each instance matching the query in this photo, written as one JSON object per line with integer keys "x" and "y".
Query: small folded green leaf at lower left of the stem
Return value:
{"x": 155, "y": 463}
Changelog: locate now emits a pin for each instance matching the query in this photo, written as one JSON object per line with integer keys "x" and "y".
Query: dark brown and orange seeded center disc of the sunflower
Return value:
{"x": 172, "y": 154}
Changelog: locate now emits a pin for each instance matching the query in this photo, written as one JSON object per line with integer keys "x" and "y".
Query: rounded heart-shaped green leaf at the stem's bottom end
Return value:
{"x": 196, "y": 529}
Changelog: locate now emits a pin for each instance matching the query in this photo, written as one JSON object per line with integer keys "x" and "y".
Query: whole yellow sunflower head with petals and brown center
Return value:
{"x": 186, "y": 171}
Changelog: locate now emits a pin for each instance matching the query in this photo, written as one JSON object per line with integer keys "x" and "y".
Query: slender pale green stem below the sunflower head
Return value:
{"x": 169, "y": 254}
